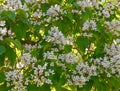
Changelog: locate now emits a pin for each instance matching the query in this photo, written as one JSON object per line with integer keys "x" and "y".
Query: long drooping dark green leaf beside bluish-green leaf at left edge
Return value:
{"x": 10, "y": 54}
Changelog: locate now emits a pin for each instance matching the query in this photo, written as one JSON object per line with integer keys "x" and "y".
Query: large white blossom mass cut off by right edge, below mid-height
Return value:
{"x": 110, "y": 62}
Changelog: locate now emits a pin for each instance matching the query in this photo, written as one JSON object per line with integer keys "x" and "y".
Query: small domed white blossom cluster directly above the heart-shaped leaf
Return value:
{"x": 89, "y": 25}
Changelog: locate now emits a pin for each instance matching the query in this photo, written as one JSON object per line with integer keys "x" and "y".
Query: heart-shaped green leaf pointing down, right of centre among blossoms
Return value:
{"x": 82, "y": 43}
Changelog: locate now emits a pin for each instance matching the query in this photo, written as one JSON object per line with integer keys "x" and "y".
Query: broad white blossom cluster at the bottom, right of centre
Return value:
{"x": 81, "y": 74}
